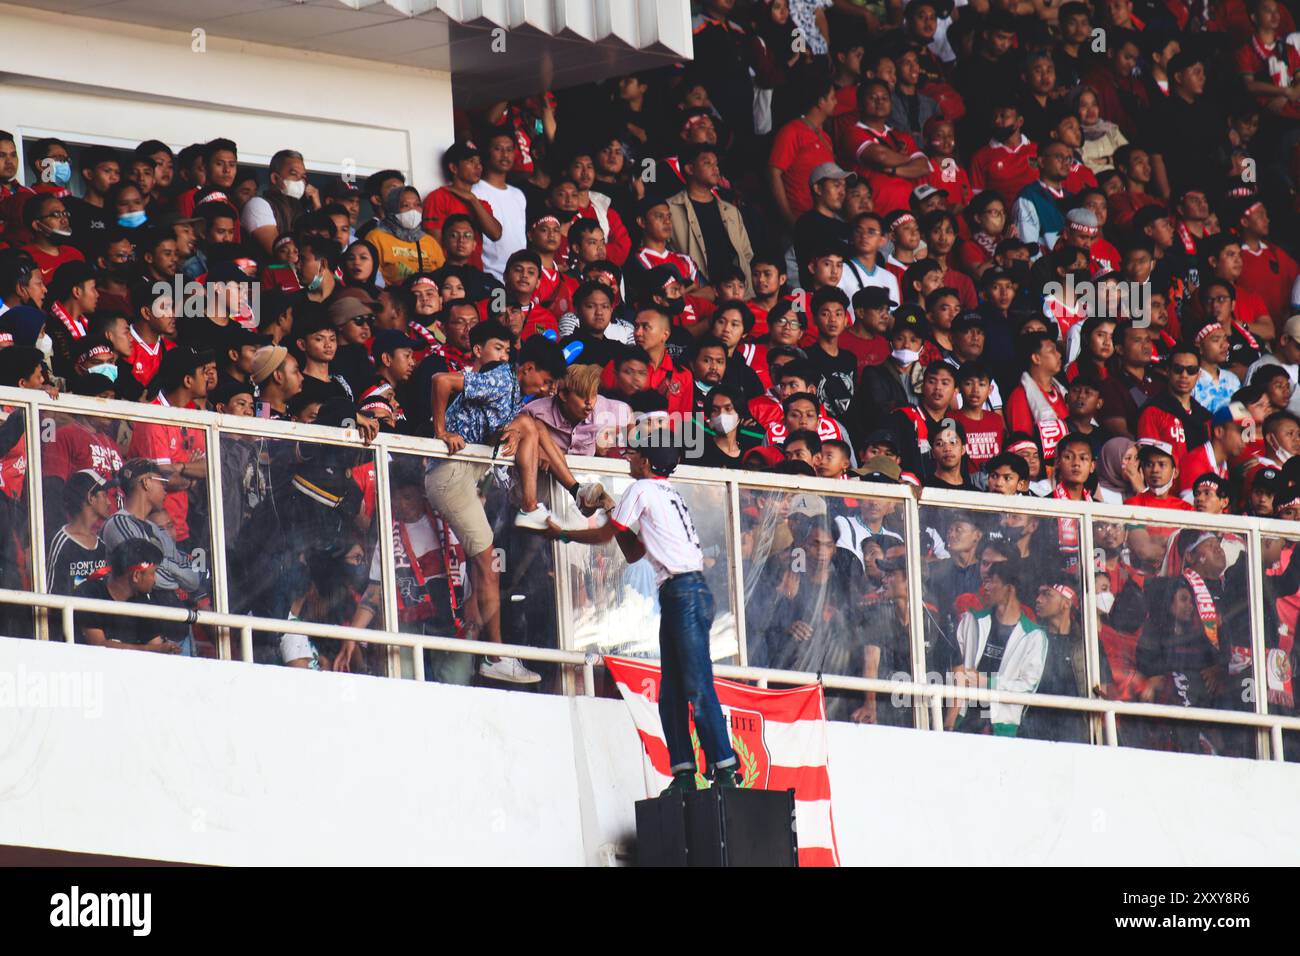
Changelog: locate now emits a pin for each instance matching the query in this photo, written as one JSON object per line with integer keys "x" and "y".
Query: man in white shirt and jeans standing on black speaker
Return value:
{"x": 652, "y": 521}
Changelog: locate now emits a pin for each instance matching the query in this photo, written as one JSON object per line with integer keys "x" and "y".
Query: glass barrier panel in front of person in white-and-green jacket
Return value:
{"x": 1003, "y": 611}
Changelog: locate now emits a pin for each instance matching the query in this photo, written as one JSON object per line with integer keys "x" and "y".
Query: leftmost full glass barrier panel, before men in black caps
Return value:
{"x": 135, "y": 492}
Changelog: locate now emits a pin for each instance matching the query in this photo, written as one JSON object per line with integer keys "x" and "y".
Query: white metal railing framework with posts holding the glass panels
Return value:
{"x": 1102, "y": 712}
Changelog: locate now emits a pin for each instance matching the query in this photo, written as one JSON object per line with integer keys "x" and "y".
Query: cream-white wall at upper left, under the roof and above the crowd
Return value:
{"x": 120, "y": 84}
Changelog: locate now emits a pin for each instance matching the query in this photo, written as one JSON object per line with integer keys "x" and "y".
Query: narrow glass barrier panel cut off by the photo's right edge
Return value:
{"x": 1281, "y": 586}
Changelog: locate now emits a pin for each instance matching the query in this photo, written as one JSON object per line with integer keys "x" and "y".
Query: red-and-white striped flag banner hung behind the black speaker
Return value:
{"x": 779, "y": 737}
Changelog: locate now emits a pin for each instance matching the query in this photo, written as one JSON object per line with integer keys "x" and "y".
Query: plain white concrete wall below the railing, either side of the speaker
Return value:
{"x": 235, "y": 764}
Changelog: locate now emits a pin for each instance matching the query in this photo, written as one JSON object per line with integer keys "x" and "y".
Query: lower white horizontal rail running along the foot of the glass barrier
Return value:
{"x": 838, "y": 682}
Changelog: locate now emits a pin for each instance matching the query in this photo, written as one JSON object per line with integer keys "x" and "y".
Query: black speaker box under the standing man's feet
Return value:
{"x": 718, "y": 828}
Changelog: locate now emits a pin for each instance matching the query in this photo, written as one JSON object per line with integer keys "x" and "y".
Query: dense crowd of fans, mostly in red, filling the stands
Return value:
{"x": 1000, "y": 246}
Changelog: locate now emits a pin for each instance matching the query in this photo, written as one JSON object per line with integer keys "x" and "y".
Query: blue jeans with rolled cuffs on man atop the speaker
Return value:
{"x": 686, "y": 616}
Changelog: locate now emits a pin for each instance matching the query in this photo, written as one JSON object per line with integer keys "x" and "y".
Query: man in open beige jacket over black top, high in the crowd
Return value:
{"x": 704, "y": 227}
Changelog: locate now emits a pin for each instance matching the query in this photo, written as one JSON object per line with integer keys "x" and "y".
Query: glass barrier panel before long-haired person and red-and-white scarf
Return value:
{"x": 1175, "y": 625}
